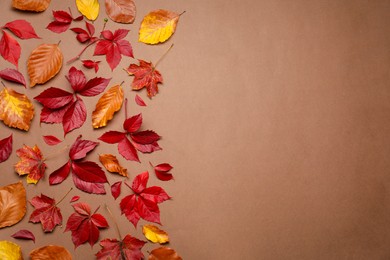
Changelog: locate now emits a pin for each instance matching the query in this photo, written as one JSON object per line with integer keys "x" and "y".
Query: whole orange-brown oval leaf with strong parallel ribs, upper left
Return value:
{"x": 44, "y": 63}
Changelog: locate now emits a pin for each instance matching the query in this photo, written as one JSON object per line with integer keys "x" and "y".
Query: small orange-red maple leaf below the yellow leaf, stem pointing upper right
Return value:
{"x": 145, "y": 76}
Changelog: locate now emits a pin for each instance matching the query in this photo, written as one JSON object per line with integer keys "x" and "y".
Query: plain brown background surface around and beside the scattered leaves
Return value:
{"x": 275, "y": 115}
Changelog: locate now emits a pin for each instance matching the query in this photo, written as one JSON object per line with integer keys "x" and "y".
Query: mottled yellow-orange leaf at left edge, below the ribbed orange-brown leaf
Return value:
{"x": 16, "y": 110}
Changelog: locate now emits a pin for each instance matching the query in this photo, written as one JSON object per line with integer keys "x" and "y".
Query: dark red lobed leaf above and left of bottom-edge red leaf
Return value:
{"x": 85, "y": 226}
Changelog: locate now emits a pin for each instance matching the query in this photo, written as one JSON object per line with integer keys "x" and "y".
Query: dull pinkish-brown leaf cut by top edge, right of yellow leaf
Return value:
{"x": 121, "y": 11}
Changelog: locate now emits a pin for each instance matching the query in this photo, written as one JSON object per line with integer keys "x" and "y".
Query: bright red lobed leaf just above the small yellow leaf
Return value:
{"x": 144, "y": 202}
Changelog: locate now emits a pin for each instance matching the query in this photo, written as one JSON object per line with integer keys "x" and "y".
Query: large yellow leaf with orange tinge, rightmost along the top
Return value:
{"x": 158, "y": 26}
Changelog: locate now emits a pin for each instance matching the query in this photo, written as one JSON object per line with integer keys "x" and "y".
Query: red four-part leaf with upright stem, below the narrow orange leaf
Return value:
{"x": 143, "y": 141}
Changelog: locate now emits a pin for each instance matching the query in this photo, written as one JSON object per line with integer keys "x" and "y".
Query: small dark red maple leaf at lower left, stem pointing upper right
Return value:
{"x": 45, "y": 212}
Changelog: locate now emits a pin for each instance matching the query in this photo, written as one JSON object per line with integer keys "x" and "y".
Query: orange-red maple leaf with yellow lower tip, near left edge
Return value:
{"x": 31, "y": 163}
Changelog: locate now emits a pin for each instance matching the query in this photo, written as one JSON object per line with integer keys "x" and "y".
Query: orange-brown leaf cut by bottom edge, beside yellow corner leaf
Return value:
{"x": 50, "y": 252}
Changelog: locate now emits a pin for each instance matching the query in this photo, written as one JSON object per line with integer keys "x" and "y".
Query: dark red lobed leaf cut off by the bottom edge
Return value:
{"x": 128, "y": 248}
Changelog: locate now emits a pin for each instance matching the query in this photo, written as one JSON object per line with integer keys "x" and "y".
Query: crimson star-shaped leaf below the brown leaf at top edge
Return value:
{"x": 114, "y": 46}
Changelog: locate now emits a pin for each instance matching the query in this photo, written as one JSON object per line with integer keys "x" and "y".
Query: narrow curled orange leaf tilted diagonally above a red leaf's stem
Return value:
{"x": 107, "y": 105}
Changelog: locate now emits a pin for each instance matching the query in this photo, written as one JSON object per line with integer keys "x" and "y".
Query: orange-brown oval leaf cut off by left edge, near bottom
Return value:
{"x": 12, "y": 204}
